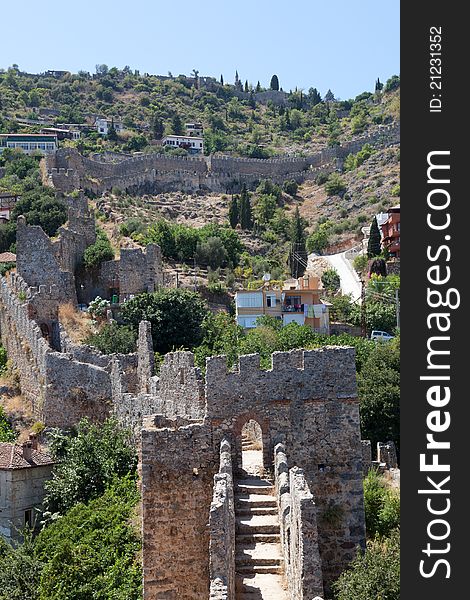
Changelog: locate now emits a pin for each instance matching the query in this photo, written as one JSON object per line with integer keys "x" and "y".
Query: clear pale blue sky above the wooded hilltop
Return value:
{"x": 341, "y": 44}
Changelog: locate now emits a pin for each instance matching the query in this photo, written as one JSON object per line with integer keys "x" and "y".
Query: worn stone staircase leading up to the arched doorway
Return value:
{"x": 258, "y": 558}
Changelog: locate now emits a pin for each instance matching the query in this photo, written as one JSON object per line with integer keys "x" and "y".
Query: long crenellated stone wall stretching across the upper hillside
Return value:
{"x": 151, "y": 173}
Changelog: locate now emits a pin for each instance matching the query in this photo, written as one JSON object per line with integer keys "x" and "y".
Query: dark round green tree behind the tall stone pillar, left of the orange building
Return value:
{"x": 176, "y": 316}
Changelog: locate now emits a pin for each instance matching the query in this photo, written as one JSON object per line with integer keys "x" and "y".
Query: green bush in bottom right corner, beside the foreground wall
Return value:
{"x": 374, "y": 575}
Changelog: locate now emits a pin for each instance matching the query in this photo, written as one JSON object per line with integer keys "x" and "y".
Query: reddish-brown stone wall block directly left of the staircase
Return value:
{"x": 178, "y": 464}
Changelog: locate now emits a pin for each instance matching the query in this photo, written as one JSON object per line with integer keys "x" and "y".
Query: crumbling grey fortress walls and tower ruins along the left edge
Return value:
{"x": 63, "y": 381}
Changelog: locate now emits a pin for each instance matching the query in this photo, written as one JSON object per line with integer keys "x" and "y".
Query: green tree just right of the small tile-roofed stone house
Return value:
{"x": 89, "y": 459}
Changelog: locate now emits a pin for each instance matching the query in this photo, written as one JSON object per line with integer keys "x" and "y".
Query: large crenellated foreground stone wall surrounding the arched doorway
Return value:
{"x": 307, "y": 403}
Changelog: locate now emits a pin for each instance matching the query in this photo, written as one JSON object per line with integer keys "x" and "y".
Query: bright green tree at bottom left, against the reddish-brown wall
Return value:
{"x": 92, "y": 551}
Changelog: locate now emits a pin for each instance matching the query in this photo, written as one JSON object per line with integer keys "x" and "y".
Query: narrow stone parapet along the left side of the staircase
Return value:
{"x": 222, "y": 527}
